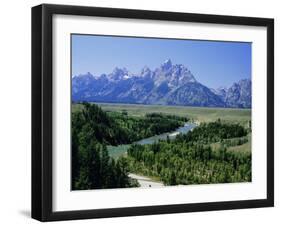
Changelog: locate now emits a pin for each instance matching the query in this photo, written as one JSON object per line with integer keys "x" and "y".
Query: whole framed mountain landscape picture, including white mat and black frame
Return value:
{"x": 145, "y": 112}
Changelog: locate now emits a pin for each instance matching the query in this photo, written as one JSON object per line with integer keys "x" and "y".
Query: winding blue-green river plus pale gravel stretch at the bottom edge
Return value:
{"x": 117, "y": 151}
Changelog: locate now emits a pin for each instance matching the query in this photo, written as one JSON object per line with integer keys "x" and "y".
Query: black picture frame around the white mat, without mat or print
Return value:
{"x": 42, "y": 111}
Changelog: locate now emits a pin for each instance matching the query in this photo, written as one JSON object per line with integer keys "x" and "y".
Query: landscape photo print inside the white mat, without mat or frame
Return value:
{"x": 155, "y": 112}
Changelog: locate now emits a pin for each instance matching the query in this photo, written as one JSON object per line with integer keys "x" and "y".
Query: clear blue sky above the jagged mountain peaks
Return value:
{"x": 213, "y": 63}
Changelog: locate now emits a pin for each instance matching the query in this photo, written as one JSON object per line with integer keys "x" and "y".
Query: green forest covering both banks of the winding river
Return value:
{"x": 201, "y": 156}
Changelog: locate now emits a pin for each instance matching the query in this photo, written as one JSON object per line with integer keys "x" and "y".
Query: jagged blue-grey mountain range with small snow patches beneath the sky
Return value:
{"x": 169, "y": 84}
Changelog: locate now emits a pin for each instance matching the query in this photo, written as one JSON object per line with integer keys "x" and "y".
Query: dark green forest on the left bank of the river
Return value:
{"x": 93, "y": 129}
